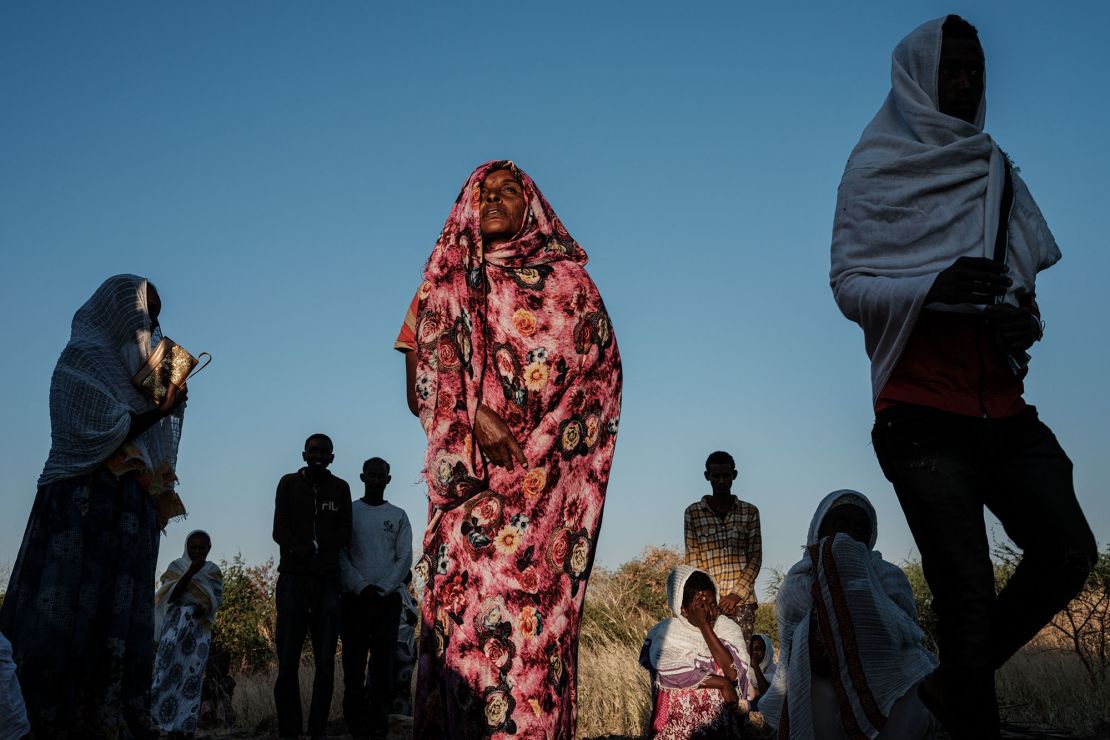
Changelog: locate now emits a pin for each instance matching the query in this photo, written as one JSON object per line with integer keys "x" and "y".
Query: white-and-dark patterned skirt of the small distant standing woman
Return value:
{"x": 179, "y": 670}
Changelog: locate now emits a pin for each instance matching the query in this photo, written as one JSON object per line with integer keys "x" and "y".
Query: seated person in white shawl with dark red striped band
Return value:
{"x": 851, "y": 654}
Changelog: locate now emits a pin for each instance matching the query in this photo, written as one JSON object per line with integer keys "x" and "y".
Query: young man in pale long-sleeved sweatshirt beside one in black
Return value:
{"x": 372, "y": 570}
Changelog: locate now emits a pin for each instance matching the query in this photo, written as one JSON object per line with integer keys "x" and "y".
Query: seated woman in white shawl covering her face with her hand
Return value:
{"x": 699, "y": 662}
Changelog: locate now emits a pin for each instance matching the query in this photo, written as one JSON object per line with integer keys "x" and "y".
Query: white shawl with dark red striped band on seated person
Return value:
{"x": 866, "y": 595}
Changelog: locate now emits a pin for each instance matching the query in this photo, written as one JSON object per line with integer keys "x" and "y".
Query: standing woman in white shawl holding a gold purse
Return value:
{"x": 78, "y": 610}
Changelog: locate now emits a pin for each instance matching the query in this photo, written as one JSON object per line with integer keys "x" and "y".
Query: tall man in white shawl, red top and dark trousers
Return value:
{"x": 936, "y": 248}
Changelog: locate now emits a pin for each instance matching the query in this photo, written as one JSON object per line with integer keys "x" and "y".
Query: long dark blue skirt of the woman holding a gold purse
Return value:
{"x": 80, "y": 609}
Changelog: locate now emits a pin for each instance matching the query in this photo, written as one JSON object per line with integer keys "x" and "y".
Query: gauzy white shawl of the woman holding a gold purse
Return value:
{"x": 92, "y": 397}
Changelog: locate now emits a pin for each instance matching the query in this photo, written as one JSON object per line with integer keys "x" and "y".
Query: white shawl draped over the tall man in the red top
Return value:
{"x": 921, "y": 190}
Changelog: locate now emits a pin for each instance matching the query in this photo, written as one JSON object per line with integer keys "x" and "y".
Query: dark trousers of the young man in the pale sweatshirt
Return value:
{"x": 370, "y": 623}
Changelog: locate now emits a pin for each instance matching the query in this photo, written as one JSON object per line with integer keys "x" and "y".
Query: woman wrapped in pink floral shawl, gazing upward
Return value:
{"x": 516, "y": 377}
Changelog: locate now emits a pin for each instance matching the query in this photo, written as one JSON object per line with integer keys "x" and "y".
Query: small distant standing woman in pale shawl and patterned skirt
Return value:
{"x": 185, "y": 612}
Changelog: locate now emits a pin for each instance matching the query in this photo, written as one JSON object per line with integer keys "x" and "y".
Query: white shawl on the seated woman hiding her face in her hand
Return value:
{"x": 675, "y": 651}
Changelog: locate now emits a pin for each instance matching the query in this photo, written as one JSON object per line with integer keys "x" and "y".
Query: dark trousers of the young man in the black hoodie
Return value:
{"x": 307, "y": 605}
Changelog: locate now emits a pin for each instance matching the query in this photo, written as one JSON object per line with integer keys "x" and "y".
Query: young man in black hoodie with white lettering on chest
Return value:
{"x": 312, "y": 522}
